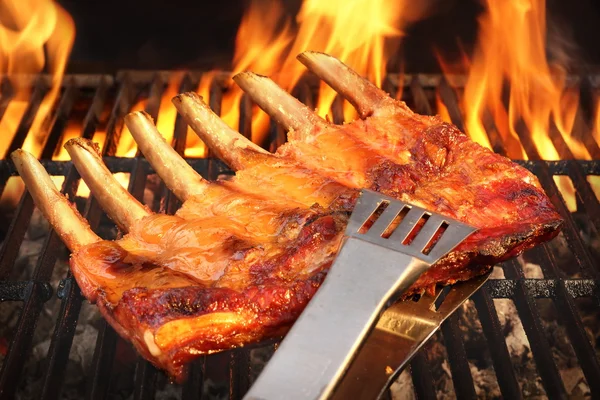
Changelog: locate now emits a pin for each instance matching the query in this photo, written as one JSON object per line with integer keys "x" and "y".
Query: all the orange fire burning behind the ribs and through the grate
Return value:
{"x": 510, "y": 83}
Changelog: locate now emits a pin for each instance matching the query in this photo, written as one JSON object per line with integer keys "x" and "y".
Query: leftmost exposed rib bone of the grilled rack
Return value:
{"x": 72, "y": 228}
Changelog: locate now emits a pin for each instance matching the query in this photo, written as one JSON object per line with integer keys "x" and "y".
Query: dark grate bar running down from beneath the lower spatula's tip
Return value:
{"x": 488, "y": 316}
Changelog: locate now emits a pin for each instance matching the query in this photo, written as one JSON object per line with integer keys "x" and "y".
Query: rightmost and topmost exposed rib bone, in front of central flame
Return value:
{"x": 364, "y": 96}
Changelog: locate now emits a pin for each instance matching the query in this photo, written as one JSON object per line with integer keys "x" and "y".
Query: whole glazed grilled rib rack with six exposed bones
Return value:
{"x": 242, "y": 257}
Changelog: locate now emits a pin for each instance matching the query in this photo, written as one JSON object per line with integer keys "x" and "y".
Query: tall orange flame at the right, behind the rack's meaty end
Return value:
{"x": 514, "y": 54}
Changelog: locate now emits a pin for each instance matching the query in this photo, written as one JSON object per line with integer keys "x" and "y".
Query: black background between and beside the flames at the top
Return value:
{"x": 170, "y": 34}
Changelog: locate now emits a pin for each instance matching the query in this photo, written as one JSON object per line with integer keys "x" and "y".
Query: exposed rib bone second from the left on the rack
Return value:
{"x": 118, "y": 203}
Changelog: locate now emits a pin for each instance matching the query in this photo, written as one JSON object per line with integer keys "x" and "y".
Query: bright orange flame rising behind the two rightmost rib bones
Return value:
{"x": 362, "y": 33}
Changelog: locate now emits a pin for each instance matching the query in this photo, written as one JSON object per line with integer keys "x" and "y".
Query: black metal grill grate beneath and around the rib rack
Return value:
{"x": 563, "y": 285}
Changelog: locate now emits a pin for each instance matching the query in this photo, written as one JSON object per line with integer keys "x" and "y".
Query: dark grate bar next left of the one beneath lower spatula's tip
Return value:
{"x": 459, "y": 365}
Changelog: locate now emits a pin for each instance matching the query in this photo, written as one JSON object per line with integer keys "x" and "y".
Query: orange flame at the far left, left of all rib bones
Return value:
{"x": 27, "y": 29}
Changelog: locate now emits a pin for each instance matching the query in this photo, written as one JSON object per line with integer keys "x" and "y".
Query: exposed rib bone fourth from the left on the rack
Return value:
{"x": 229, "y": 145}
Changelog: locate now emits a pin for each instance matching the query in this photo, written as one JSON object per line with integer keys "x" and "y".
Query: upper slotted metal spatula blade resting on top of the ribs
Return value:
{"x": 389, "y": 245}
